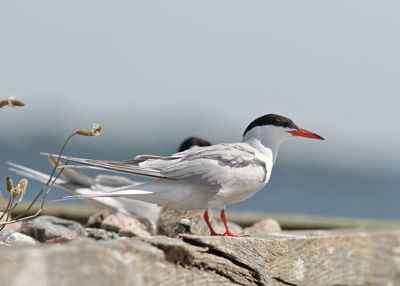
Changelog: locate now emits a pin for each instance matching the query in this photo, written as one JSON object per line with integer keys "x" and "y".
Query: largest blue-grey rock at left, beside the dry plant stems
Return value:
{"x": 49, "y": 228}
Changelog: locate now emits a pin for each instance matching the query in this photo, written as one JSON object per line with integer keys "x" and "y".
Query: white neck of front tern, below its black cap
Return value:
{"x": 263, "y": 140}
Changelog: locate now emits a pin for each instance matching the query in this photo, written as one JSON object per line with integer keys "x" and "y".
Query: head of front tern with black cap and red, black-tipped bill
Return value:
{"x": 274, "y": 129}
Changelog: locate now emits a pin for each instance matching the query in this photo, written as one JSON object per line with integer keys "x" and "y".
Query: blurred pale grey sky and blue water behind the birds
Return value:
{"x": 155, "y": 72}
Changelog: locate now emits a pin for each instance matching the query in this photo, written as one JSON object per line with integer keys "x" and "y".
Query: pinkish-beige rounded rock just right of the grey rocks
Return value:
{"x": 125, "y": 225}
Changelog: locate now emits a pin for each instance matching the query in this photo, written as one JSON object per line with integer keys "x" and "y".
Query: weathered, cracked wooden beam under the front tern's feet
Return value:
{"x": 312, "y": 258}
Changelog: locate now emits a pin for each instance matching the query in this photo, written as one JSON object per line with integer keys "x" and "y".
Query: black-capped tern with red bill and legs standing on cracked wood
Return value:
{"x": 206, "y": 177}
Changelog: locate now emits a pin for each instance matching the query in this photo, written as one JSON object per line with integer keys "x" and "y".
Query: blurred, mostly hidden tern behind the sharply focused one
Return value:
{"x": 77, "y": 183}
